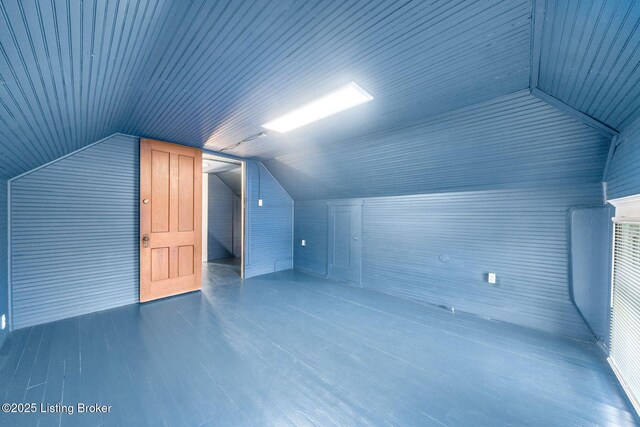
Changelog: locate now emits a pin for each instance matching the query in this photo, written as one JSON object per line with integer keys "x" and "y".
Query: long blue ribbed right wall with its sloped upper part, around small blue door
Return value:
{"x": 485, "y": 188}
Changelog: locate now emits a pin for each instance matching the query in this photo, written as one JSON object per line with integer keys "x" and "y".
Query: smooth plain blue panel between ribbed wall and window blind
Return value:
{"x": 591, "y": 246}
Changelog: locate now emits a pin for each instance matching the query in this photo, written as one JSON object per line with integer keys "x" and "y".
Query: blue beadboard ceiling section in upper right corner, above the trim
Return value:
{"x": 590, "y": 57}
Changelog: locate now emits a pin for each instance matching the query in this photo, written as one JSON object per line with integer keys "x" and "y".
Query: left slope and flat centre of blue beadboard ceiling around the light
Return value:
{"x": 209, "y": 73}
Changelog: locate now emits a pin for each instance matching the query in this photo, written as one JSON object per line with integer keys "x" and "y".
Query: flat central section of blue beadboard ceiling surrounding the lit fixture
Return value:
{"x": 228, "y": 68}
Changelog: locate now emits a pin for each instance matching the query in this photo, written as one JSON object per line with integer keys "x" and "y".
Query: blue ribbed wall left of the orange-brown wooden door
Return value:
{"x": 74, "y": 234}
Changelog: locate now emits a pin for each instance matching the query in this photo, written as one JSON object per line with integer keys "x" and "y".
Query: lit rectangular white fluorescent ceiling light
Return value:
{"x": 340, "y": 99}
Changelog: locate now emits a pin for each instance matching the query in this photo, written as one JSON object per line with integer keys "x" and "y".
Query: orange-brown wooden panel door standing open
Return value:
{"x": 170, "y": 219}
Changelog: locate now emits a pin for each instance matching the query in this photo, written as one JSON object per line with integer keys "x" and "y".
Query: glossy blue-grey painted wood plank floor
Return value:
{"x": 292, "y": 349}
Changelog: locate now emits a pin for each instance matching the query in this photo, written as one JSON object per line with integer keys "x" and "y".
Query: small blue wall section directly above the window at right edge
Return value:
{"x": 623, "y": 178}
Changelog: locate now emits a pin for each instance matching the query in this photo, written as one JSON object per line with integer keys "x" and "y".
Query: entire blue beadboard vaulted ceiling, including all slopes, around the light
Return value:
{"x": 209, "y": 73}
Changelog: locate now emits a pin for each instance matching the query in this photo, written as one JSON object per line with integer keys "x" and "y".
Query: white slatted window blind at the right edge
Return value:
{"x": 625, "y": 309}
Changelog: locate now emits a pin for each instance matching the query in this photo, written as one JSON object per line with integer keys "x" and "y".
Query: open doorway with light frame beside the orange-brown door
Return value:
{"x": 223, "y": 187}
